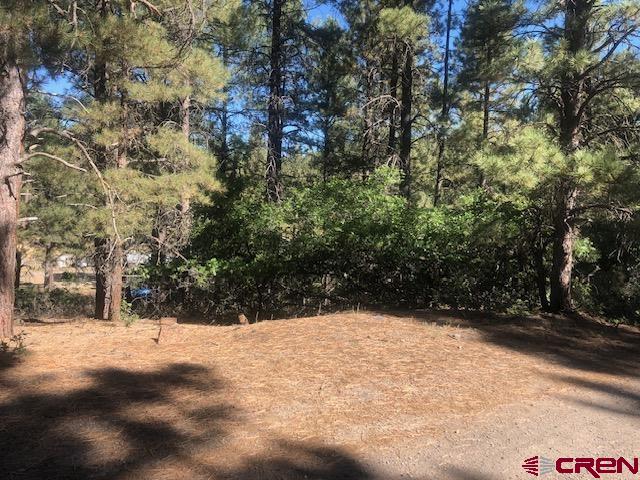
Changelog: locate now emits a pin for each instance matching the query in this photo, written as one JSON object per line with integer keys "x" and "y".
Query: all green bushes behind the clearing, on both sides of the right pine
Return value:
{"x": 340, "y": 243}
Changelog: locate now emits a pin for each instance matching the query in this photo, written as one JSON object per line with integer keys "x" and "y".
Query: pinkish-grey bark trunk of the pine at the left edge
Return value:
{"x": 12, "y": 125}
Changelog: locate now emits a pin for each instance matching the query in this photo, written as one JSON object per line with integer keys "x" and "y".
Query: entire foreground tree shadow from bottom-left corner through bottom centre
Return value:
{"x": 124, "y": 424}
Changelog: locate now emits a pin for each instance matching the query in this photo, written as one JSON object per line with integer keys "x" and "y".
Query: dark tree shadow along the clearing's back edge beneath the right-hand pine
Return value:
{"x": 573, "y": 341}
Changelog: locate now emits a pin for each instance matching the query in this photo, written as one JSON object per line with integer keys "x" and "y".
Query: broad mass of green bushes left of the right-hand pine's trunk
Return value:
{"x": 346, "y": 242}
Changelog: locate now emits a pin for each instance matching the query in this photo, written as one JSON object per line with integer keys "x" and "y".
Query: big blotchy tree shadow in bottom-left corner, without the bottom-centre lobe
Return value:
{"x": 100, "y": 430}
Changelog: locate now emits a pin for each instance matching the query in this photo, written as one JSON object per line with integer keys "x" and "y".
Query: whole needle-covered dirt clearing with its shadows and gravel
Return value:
{"x": 429, "y": 395}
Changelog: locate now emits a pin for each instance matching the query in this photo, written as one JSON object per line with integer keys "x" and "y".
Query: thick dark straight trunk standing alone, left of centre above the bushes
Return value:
{"x": 275, "y": 109}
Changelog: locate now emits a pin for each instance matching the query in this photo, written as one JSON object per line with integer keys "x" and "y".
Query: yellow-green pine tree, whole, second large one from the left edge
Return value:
{"x": 138, "y": 75}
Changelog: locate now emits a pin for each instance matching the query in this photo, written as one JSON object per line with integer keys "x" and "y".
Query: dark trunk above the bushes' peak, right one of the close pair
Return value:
{"x": 406, "y": 120}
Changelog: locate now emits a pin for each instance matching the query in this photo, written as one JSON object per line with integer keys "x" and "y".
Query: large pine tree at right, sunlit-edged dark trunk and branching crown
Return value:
{"x": 590, "y": 63}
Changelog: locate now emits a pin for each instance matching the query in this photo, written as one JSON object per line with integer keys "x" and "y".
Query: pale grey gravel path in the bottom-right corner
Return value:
{"x": 591, "y": 419}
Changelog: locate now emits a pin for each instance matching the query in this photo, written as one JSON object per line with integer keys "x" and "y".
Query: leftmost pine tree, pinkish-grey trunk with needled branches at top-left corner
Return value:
{"x": 30, "y": 37}
